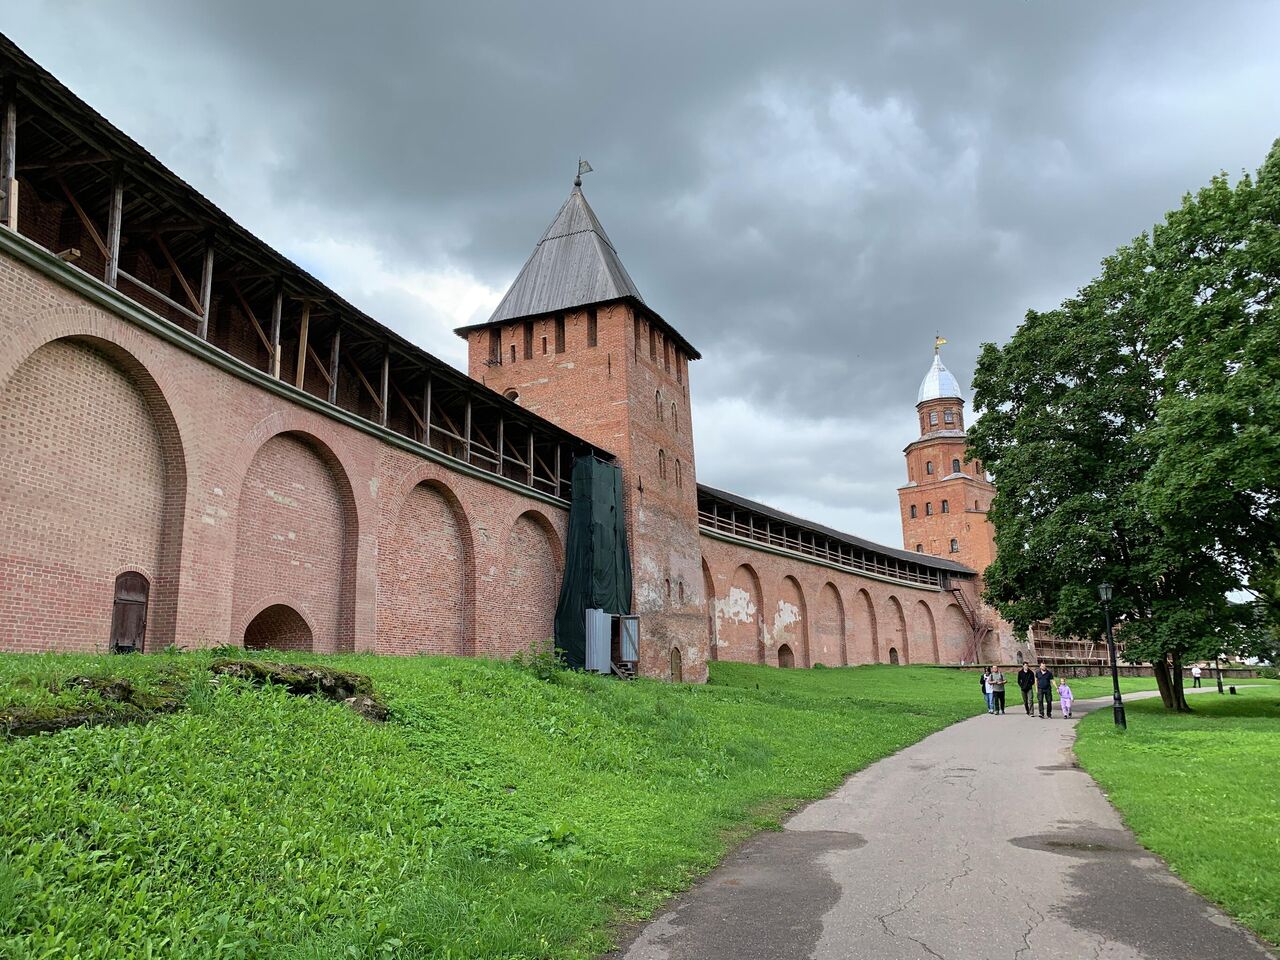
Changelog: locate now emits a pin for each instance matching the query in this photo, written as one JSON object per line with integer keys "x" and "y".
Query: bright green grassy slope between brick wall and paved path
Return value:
{"x": 496, "y": 816}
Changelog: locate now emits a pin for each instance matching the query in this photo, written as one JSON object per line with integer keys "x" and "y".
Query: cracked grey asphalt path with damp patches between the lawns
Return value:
{"x": 981, "y": 842}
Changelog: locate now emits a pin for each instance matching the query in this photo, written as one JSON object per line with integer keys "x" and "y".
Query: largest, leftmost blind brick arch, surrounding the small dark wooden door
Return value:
{"x": 94, "y": 460}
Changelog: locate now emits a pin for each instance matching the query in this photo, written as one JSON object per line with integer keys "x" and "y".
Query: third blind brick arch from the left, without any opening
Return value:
{"x": 426, "y": 570}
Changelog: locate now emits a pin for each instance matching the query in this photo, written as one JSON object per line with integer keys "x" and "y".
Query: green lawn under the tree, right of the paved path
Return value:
{"x": 1201, "y": 790}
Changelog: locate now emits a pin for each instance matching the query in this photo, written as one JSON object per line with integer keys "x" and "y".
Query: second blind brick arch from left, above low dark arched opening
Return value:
{"x": 296, "y": 533}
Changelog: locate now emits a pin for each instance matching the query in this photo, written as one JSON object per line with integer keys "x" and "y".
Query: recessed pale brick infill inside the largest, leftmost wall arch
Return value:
{"x": 83, "y": 499}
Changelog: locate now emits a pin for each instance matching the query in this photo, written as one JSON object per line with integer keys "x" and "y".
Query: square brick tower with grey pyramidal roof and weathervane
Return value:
{"x": 574, "y": 341}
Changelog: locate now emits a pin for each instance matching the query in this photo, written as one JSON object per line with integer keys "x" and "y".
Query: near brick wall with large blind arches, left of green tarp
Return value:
{"x": 204, "y": 536}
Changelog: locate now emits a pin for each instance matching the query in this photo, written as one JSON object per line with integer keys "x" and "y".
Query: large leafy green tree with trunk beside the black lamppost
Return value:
{"x": 1133, "y": 436}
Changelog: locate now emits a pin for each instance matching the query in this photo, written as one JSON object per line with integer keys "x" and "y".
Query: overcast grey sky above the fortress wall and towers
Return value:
{"x": 808, "y": 191}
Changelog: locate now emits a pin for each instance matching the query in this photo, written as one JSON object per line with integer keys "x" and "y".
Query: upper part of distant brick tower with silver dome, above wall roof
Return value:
{"x": 945, "y": 500}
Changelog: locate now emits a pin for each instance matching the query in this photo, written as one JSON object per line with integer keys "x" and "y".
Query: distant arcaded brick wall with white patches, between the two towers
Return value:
{"x": 925, "y": 625}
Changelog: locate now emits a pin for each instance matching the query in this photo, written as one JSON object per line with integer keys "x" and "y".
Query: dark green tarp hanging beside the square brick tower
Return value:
{"x": 597, "y": 561}
